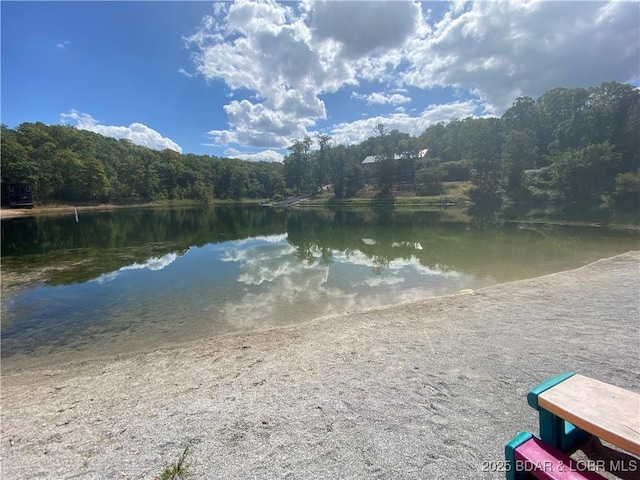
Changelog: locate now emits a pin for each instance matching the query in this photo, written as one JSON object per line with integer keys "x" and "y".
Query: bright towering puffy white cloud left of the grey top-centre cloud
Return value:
{"x": 266, "y": 48}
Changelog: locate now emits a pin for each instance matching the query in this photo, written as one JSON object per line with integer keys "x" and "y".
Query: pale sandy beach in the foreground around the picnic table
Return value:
{"x": 425, "y": 390}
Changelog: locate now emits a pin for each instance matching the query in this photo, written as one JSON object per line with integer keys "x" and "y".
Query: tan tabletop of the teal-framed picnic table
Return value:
{"x": 606, "y": 411}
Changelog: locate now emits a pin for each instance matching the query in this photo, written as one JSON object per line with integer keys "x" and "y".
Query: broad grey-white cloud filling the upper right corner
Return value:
{"x": 500, "y": 50}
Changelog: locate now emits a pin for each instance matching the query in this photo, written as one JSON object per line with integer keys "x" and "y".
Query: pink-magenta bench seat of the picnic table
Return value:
{"x": 547, "y": 463}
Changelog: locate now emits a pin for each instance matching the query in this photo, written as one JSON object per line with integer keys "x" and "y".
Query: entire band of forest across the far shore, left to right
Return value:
{"x": 570, "y": 147}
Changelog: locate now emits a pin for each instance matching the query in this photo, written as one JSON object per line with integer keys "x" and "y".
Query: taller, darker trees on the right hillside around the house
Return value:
{"x": 570, "y": 147}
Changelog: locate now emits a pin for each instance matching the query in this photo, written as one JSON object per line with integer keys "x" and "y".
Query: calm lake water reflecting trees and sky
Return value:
{"x": 127, "y": 280}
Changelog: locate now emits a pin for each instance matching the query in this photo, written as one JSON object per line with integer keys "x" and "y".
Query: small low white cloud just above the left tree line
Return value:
{"x": 138, "y": 133}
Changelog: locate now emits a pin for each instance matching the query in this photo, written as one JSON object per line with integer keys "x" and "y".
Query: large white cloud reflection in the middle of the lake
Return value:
{"x": 282, "y": 289}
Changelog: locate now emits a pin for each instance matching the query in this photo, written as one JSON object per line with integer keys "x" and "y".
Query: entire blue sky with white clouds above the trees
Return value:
{"x": 246, "y": 79}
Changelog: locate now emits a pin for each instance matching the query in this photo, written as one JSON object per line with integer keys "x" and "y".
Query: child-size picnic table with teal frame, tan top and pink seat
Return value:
{"x": 570, "y": 407}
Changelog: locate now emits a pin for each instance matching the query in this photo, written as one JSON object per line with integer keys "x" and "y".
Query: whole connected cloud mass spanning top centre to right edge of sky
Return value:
{"x": 282, "y": 62}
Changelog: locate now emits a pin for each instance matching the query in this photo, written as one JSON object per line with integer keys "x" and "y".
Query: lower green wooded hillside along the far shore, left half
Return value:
{"x": 69, "y": 165}
